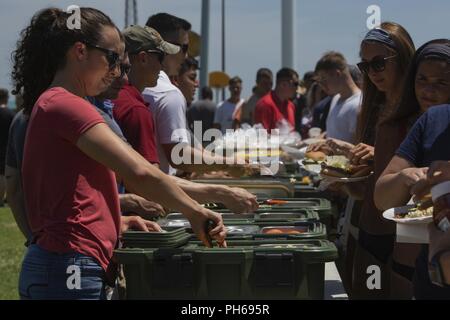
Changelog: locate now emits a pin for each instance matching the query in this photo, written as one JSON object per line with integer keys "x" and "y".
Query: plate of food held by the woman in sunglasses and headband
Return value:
{"x": 339, "y": 169}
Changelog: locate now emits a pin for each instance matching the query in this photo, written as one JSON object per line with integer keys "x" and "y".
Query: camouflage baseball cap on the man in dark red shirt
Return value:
{"x": 139, "y": 38}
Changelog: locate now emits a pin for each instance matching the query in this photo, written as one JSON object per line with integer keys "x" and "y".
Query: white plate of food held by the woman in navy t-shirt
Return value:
{"x": 410, "y": 214}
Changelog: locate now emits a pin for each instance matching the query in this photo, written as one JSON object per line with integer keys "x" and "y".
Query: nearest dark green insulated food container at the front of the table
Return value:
{"x": 246, "y": 269}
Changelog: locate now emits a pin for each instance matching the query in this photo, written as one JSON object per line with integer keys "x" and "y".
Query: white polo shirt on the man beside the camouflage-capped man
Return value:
{"x": 168, "y": 106}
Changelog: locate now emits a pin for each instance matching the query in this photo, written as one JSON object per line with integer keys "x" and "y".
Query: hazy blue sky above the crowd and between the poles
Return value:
{"x": 253, "y": 27}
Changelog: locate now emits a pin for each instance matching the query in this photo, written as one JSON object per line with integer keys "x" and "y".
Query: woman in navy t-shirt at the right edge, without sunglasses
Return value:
{"x": 427, "y": 85}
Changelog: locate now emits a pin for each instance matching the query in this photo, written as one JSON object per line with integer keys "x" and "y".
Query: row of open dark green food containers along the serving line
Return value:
{"x": 278, "y": 252}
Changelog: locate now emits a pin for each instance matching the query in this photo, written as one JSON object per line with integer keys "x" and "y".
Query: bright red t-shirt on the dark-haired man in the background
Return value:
{"x": 270, "y": 110}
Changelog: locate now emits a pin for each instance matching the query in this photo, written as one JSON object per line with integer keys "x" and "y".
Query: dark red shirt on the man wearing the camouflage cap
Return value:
{"x": 135, "y": 119}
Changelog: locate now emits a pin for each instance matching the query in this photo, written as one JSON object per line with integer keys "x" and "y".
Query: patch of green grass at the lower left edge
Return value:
{"x": 11, "y": 254}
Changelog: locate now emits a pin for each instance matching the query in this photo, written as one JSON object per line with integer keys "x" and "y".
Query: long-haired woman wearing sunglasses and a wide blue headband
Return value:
{"x": 386, "y": 53}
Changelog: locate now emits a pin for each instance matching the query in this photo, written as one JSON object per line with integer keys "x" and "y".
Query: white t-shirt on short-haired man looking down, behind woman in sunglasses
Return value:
{"x": 342, "y": 118}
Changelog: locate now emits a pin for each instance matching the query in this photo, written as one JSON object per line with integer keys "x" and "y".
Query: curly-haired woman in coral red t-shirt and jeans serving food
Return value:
{"x": 71, "y": 155}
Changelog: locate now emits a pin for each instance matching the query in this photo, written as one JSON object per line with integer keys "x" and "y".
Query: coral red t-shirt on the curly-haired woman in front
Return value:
{"x": 71, "y": 199}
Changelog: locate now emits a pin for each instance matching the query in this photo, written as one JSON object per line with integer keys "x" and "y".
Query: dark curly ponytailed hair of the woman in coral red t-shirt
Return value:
{"x": 43, "y": 45}
